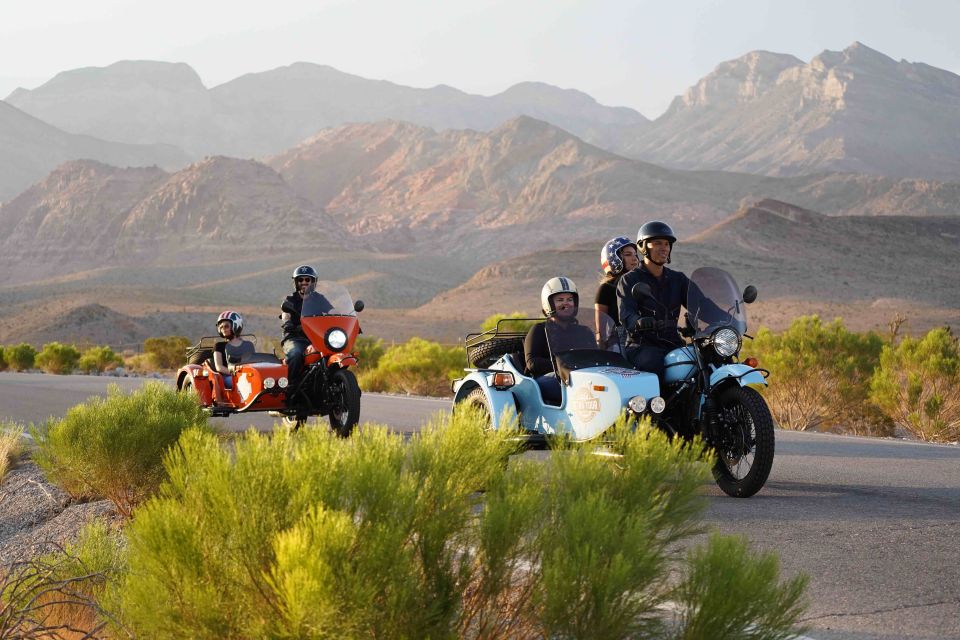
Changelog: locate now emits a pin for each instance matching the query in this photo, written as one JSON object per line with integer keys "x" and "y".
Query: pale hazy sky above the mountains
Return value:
{"x": 638, "y": 54}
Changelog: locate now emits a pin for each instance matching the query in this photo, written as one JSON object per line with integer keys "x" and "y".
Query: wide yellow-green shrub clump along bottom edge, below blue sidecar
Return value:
{"x": 313, "y": 536}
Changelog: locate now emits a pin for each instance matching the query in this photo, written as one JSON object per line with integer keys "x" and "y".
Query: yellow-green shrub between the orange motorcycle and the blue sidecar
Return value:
{"x": 417, "y": 366}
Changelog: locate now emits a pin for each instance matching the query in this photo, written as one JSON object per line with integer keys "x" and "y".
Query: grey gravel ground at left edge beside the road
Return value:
{"x": 36, "y": 516}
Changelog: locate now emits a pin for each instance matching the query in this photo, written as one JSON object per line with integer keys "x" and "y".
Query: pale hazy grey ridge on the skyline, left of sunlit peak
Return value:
{"x": 264, "y": 113}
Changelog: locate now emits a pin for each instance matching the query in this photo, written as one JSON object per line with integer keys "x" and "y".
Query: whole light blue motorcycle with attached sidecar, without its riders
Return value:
{"x": 707, "y": 390}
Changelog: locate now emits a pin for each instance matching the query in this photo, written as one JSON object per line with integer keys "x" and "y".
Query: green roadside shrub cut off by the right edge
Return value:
{"x": 917, "y": 385}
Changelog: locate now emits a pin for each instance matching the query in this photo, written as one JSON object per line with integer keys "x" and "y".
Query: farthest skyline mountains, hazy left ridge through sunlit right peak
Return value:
{"x": 855, "y": 110}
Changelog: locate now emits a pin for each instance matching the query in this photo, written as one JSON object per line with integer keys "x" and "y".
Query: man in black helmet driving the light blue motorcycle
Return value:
{"x": 651, "y": 323}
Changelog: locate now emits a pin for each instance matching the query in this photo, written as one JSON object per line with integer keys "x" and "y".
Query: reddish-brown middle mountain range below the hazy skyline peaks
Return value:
{"x": 394, "y": 187}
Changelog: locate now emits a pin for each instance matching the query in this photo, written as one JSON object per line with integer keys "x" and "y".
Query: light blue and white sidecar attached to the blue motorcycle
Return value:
{"x": 596, "y": 384}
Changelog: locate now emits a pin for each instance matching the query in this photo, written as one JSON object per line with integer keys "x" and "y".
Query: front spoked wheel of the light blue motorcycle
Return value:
{"x": 746, "y": 443}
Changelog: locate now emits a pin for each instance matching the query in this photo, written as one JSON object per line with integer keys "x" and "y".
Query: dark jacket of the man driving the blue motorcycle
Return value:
{"x": 670, "y": 291}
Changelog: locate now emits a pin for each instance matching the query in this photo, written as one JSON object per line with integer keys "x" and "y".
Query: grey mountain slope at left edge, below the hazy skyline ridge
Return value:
{"x": 31, "y": 148}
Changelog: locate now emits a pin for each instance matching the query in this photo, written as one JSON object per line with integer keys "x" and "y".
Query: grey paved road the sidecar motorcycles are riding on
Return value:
{"x": 876, "y": 523}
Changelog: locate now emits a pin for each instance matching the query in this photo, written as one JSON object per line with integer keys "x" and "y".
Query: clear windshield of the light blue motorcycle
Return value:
{"x": 715, "y": 301}
